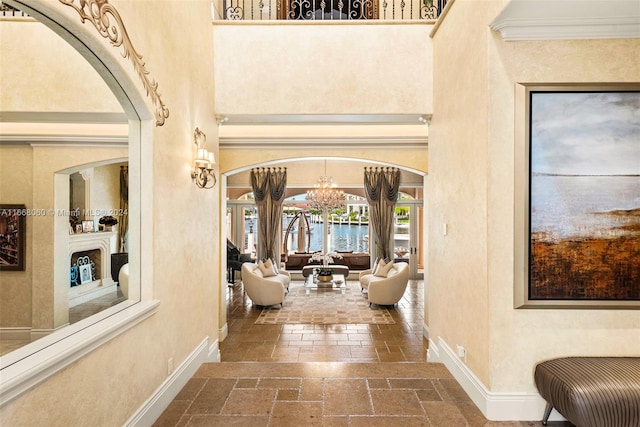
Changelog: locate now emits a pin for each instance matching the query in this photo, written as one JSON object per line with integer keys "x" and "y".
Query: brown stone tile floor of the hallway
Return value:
{"x": 325, "y": 375}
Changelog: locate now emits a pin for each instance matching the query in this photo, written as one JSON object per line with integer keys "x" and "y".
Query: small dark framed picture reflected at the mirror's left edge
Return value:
{"x": 12, "y": 237}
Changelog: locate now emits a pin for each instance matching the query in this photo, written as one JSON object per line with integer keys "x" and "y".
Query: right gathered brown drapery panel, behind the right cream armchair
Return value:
{"x": 381, "y": 187}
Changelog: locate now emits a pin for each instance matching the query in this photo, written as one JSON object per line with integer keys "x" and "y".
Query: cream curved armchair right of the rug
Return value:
{"x": 386, "y": 290}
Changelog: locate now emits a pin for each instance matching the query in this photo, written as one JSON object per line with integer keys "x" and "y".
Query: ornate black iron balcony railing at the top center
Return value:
{"x": 327, "y": 10}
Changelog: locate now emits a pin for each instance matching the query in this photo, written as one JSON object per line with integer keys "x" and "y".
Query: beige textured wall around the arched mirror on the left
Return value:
{"x": 109, "y": 384}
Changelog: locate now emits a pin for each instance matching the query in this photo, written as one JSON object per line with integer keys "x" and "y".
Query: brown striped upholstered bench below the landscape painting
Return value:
{"x": 591, "y": 391}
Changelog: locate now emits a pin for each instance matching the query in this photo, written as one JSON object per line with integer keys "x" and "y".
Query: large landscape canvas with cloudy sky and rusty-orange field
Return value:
{"x": 584, "y": 197}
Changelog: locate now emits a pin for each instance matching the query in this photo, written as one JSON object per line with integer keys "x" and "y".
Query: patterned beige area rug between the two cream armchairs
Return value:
{"x": 325, "y": 307}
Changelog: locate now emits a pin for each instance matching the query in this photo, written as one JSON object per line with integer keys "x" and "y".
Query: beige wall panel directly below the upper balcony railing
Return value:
{"x": 302, "y": 68}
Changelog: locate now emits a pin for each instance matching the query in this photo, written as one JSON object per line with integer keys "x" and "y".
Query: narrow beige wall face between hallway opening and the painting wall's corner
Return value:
{"x": 457, "y": 287}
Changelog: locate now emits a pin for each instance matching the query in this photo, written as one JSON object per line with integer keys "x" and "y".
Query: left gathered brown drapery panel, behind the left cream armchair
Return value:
{"x": 269, "y": 185}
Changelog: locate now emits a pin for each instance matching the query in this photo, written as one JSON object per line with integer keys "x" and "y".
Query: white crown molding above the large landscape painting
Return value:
{"x": 544, "y": 20}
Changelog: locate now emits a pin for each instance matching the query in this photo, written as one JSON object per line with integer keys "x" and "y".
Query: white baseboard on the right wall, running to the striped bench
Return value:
{"x": 494, "y": 406}
